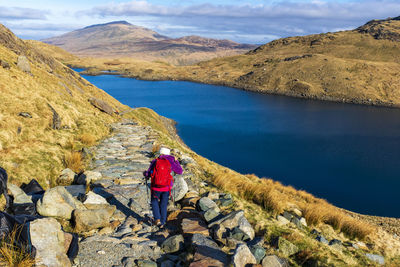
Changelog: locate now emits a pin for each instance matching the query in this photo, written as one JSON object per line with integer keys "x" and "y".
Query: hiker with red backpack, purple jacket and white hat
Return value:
{"x": 161, "y": 183}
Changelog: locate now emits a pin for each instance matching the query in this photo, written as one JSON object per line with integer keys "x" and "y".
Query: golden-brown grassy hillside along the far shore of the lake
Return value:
{"x": 358, "y": 66}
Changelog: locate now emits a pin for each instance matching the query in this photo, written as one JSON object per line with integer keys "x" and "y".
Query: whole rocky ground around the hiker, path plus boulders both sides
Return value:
{"x": 206, "y": 227}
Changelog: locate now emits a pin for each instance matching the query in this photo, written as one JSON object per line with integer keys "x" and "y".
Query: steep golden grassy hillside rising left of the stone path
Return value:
{"x": 30, "y": 147}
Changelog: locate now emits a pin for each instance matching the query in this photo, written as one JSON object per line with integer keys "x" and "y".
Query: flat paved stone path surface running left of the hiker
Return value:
{"x": 121, "y": 159}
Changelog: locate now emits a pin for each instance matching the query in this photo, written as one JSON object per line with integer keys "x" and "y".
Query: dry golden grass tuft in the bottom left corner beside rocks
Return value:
{"x": 11, "y": 255}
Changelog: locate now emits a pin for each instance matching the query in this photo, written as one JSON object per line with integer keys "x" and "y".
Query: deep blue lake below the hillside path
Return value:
{"x": 347, "y": 154}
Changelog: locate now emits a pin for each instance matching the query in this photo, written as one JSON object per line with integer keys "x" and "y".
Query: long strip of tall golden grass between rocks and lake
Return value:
{"x": 275, "y": 197}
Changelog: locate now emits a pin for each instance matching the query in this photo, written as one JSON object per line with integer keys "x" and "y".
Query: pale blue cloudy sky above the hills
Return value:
{"x": 252, "y": 21}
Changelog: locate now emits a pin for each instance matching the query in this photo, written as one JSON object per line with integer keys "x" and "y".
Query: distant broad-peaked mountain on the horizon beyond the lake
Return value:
{"x": 122, "y": 39}
